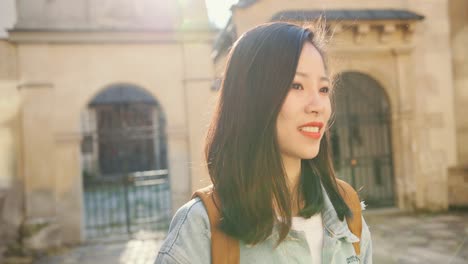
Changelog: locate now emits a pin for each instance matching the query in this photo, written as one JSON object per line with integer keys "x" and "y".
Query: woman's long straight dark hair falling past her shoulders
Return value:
{"x": 242, "y": 153}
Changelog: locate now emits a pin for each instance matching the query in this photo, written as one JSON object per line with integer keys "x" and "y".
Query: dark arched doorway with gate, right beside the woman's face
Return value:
{"x": 361, "y": 138}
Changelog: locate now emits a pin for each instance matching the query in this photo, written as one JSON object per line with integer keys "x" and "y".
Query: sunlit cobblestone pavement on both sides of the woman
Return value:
{"x": 397, "y": 238}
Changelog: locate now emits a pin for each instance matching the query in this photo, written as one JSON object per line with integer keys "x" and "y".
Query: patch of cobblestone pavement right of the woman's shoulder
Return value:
{"x": 423, "y": 238}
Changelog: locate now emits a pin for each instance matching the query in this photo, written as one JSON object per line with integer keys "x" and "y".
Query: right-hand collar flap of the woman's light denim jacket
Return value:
{"x": 333, "y": 224}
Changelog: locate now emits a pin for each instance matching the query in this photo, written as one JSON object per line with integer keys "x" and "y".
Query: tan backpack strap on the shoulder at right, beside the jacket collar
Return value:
{"x": 352, "y": 200}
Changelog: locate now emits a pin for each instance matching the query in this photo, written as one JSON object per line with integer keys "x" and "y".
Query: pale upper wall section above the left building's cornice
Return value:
{"x": 111, "y": 15}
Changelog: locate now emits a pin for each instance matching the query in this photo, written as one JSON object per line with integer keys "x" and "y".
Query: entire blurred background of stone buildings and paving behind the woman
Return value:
{"x": 104, "y": 105}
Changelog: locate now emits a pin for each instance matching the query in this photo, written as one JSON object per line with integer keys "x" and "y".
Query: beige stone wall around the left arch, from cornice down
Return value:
{"x": 175, "y": 68}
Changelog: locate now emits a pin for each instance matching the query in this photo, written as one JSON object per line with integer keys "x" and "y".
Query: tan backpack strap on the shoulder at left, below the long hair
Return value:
{"x": 224, "y": 249}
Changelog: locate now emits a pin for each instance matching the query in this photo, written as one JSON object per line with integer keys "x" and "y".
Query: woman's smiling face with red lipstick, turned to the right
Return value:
{"x": 303, "y": 117}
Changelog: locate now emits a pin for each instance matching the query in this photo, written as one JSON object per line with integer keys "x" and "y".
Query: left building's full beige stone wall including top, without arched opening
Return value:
{"x": 57, "y": 58}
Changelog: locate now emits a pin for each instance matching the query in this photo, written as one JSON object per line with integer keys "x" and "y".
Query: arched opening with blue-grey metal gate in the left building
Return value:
{"x": 124, "y": 164}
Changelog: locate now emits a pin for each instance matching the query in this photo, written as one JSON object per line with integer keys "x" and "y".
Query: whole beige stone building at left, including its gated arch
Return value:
{"x": 85, "y": 82}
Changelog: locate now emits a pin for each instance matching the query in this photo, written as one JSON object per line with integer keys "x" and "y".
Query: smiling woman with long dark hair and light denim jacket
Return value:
{"x": 268, "y": 157}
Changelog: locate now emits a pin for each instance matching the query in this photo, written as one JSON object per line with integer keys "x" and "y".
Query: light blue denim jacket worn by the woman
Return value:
{"x": 188, "y": 241}
